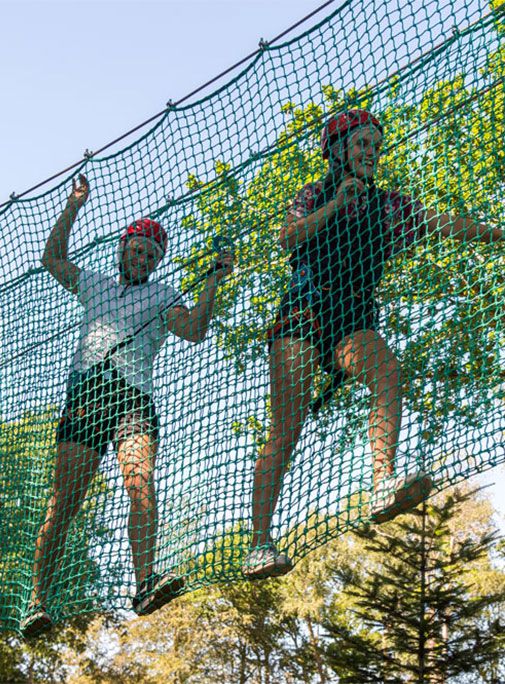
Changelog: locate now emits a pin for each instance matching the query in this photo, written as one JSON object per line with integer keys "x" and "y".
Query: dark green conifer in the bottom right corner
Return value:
{"x": 417, "y": 616}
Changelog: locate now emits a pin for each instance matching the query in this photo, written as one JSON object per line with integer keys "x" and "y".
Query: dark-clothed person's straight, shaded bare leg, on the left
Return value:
{"x": 292, "y": 364}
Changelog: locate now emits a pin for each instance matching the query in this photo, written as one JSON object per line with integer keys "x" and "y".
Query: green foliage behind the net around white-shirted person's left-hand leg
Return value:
{"x": 27, "y": 453}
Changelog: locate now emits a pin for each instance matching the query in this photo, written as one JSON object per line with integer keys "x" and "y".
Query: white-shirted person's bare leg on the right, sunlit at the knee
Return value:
{"x": 136, "y": 457}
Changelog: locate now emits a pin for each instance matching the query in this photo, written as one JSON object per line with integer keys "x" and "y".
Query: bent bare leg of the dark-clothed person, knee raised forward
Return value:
{"x": 365, "y": 356}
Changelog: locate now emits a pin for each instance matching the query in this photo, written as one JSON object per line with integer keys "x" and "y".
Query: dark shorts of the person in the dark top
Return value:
{"x": 324, "y": 325}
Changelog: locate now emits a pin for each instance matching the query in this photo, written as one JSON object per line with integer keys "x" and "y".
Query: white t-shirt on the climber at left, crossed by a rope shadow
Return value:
{"x": 112, "y": 312}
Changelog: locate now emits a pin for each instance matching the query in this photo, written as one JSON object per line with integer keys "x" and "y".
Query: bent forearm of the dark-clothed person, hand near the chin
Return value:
{"x": 299, "y": 229}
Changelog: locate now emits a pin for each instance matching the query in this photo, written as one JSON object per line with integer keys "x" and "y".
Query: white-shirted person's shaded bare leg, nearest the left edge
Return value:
{"x": 76, "y": 465}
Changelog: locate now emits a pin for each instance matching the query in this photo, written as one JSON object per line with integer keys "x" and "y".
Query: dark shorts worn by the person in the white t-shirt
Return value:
{"x": 102, "y": 408}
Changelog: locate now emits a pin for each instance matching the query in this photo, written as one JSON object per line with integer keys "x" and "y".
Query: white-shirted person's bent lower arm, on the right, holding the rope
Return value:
{"x": 193, "y": 325}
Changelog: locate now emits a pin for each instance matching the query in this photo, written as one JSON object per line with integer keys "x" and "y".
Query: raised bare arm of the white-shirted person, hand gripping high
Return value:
{"x": 55, "y": 254}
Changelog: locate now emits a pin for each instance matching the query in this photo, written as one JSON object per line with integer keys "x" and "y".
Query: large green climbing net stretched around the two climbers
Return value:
{"x": 230, "y": 164}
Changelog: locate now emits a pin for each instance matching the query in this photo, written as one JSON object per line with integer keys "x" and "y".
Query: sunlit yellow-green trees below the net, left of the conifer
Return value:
{"x": 230, "y": 634}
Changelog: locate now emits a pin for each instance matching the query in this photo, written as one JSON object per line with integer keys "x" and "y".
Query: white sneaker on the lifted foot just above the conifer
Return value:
{"x": 395, "y": 495}
